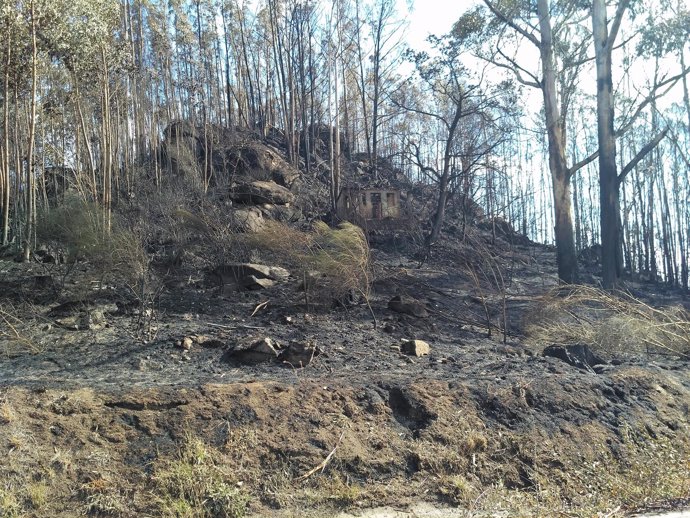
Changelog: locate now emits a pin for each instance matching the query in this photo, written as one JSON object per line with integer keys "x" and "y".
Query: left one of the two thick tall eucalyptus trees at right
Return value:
{"x": 511, "y": 28}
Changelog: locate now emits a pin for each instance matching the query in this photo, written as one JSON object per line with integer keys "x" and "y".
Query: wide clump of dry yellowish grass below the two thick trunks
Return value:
{"x": 611, "y": 324}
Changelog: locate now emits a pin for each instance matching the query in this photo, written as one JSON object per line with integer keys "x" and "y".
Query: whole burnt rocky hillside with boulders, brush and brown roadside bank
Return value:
{"x": 223, "y": 356}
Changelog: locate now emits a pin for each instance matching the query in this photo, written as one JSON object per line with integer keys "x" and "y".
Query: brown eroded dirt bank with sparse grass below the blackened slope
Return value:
{"x": 477, "y": 443}
